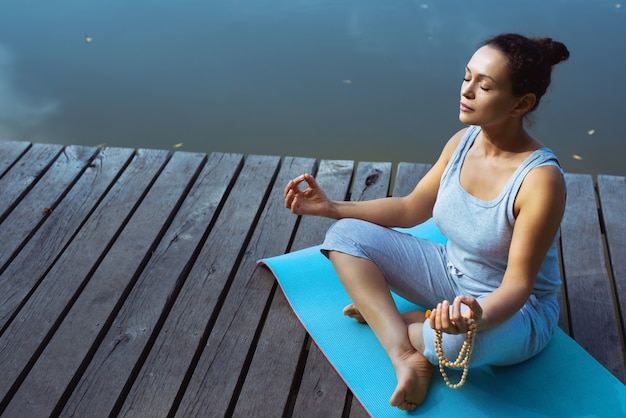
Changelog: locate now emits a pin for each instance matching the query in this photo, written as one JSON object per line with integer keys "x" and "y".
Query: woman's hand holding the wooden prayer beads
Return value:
{"x": 455, "y": 322}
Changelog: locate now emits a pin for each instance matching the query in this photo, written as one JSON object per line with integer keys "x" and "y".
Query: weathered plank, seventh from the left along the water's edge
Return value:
{"x": 120, "y": 351}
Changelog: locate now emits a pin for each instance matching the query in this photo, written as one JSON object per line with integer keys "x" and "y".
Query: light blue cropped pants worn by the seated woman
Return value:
{"x": 418, "y": 270}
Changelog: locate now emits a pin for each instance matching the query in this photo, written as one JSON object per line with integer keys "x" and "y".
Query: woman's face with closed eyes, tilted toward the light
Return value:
{"x": 486, "y": 92}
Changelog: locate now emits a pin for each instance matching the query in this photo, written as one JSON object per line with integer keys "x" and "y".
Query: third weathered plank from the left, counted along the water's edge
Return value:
{"x": 37, "y": 204}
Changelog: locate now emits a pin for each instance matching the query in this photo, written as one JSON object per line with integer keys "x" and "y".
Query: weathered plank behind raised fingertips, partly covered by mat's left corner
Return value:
{"x": 226, "y": 354}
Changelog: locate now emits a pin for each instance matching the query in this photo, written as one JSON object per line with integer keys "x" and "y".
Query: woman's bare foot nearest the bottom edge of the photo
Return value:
{"x": 413, "y": 372}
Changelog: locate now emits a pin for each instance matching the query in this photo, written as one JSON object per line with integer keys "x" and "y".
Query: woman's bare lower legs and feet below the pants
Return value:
{"x": 400, "y": 336}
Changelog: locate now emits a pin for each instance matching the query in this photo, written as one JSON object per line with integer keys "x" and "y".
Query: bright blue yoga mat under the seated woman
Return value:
{"x": 562, "y": 381}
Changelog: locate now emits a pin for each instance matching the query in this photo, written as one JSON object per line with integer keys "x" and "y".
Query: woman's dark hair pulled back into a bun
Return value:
{"x": 530, "y": 61}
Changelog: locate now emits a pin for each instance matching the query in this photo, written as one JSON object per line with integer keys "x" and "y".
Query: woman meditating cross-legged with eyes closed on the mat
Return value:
{"x": 497, "y": 194}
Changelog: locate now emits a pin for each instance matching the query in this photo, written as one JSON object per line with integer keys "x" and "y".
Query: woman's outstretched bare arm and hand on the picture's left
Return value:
{"x": 391, "y": 211}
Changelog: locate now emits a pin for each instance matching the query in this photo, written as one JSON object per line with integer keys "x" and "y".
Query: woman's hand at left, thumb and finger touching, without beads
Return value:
{"x": 310, "y": 201}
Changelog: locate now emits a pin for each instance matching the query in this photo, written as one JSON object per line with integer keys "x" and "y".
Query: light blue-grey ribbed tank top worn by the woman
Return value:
{"x": 479, "y": 232}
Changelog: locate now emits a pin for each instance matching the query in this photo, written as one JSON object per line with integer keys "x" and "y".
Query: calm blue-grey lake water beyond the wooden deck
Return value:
{"x": 366, "y": 80}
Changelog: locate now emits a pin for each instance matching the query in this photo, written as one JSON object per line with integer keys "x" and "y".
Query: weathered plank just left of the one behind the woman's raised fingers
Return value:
{"x": 185, "y": 331}
